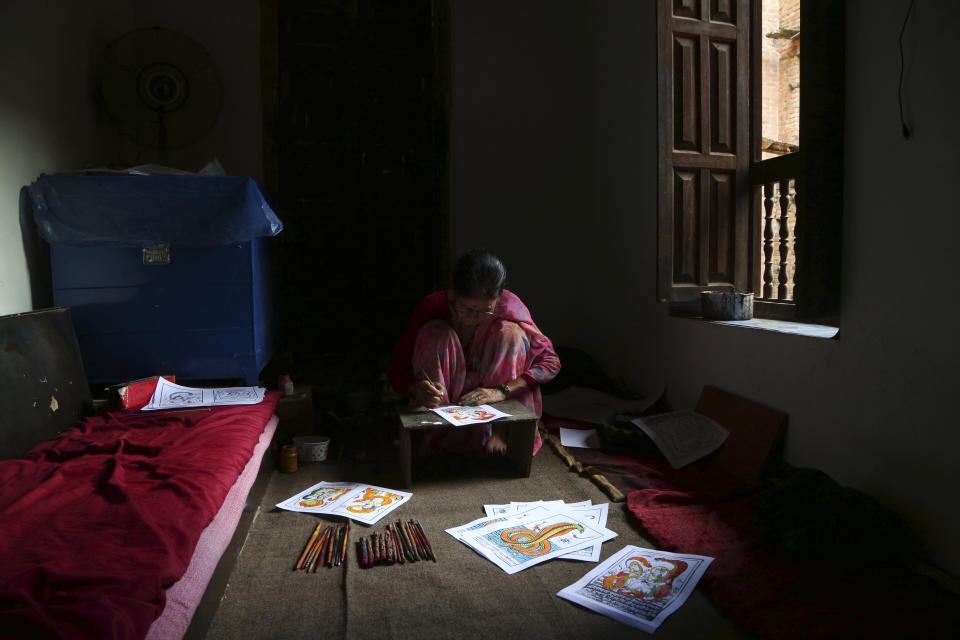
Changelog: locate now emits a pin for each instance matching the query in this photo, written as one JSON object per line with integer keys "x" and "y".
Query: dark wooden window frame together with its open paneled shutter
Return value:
{"x": 688, "y": 246}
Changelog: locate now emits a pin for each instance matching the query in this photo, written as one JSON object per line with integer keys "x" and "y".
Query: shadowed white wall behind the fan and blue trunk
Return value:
{"x": 48, "y": 119}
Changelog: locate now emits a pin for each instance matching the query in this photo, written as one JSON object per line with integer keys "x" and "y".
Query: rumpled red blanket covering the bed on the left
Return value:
{"x": 96, "y": 524}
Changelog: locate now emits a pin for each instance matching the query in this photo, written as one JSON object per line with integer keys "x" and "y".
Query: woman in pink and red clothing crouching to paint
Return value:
{"x": 473, "y": 344}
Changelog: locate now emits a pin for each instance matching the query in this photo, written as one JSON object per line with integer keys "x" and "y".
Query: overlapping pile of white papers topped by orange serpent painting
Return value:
{"x": 519, "y": 535}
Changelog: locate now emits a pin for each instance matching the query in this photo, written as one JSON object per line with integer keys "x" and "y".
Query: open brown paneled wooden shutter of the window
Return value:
{"x": 703, "y": 84}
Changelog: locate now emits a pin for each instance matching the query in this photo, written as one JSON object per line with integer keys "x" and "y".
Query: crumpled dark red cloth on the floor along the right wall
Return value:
{"x": 776, "y": 595}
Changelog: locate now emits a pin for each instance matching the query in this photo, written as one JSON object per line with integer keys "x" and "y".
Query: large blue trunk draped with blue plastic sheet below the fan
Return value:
{"x": 187, "y": 290}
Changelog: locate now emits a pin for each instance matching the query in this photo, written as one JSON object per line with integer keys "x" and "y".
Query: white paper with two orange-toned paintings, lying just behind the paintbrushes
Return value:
{"x": 361, "y": 502}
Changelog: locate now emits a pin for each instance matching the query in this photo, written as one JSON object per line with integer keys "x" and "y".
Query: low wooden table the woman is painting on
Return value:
{"x": 521, "y": 429}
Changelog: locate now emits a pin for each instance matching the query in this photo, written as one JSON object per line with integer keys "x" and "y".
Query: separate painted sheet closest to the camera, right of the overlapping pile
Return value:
{"x": 639, "y": 587}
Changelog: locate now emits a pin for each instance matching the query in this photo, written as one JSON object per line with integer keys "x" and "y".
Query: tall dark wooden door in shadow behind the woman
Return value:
{"x": 359, "y": 161}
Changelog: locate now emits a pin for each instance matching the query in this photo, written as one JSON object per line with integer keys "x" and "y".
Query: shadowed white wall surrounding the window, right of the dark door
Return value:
{"x": 554, "y": 166}
